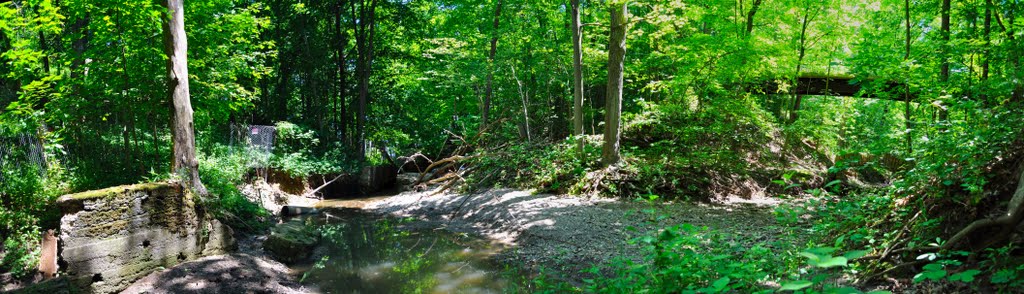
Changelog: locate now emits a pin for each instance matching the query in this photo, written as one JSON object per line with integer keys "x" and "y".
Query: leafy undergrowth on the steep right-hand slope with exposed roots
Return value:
{"x": 961, "y": 173}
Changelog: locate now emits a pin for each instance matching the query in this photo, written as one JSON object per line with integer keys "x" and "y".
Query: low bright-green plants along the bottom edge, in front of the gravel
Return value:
{"x": 687, "y": 259}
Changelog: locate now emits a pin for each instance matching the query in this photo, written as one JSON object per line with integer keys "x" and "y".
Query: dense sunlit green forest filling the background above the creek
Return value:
{"x": 902, "y": 119}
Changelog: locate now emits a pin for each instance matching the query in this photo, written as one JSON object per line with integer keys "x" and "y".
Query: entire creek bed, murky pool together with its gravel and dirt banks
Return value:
{"x": 488, "y": 242}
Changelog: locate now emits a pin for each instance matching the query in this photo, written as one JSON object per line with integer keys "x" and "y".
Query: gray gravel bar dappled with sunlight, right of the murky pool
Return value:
{"x": 571, "y": 234}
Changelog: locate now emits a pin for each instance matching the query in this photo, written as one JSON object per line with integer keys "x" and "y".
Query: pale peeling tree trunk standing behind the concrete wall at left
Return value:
{"x": 184, "y": 162}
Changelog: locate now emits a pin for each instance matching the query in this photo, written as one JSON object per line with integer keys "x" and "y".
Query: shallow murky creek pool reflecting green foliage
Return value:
{"x": 365, "y": 254}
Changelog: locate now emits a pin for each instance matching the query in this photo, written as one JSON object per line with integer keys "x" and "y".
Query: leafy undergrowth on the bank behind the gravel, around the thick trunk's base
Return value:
{"x": 671, "y": 150}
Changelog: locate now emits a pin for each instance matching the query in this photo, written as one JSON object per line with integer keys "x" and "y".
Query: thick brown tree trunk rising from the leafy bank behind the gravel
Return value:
{"x": 614, "y": 105}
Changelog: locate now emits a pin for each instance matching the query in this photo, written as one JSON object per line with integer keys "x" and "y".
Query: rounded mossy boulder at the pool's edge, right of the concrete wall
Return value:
{"x": 291, "y": 242}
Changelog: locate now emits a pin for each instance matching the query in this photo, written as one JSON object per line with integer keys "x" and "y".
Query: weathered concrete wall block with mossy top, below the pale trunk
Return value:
{"x": 111, "y": 238}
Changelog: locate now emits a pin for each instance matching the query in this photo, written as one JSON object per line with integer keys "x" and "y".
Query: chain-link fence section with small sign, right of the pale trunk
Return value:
{"x": 258, "y": 144}
